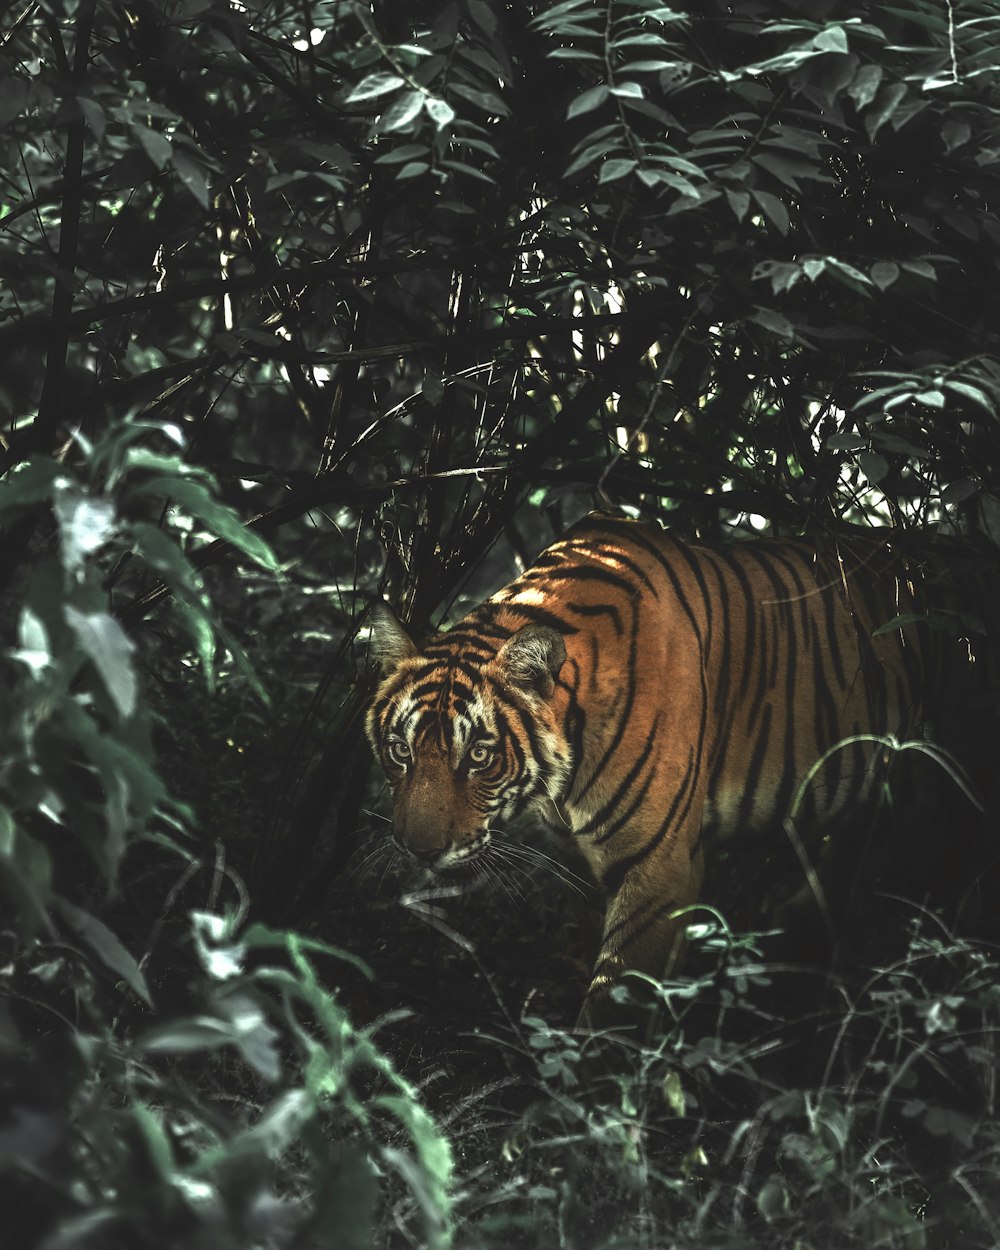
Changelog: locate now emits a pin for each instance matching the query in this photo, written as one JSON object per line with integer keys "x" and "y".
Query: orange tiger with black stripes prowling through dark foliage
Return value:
{"x": 649, "y": 697}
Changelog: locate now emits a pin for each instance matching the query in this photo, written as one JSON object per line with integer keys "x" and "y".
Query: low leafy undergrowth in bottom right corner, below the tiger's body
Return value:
{"x": 739, "y": 1128}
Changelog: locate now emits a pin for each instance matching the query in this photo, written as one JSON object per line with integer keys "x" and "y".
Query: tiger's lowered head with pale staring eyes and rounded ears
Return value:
{"x": 467, "y": 733}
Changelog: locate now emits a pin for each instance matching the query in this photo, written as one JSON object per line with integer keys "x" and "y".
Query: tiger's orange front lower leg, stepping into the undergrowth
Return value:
{"x": 643, "y": 932}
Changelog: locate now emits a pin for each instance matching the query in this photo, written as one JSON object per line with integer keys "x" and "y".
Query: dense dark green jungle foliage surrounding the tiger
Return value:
{"x": 302, "y": 303}
